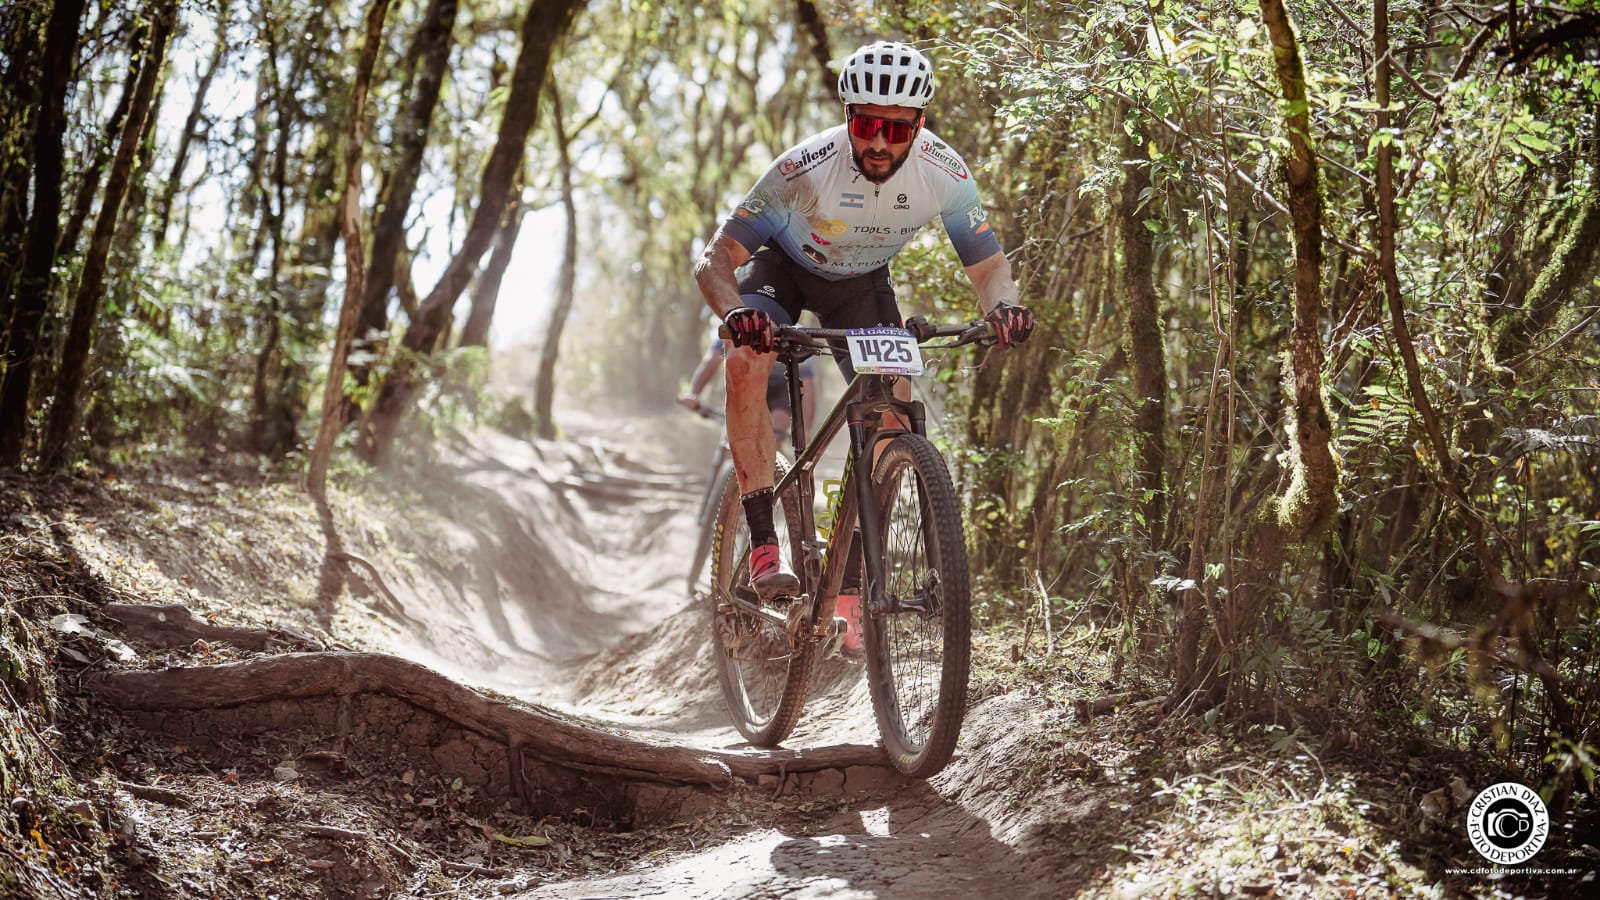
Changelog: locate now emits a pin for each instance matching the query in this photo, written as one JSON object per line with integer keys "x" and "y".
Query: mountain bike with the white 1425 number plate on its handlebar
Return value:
{"x": 898, "y": 505}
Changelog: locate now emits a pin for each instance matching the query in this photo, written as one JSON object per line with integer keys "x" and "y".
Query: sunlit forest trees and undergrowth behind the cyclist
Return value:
{"x": 1310, "y": 420}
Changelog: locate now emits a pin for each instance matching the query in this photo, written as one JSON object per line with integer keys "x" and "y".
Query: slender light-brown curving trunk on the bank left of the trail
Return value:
{"x": 354, "y": 249}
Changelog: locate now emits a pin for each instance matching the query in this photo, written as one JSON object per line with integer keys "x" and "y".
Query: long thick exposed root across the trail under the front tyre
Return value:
{"x": 556, "y": 741}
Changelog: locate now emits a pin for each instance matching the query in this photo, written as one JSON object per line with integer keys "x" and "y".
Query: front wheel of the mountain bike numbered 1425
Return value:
{"x": 919, "y": 648}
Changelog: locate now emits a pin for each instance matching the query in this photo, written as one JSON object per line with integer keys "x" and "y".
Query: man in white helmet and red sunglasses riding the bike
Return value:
{"x": 818, "y": 233}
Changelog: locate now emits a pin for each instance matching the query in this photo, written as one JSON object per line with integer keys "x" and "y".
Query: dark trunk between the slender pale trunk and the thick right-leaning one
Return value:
{"x": 431, "y": 47}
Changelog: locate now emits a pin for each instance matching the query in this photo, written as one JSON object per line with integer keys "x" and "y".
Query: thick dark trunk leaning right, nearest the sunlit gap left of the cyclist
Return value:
{"x": 542, "y": 30}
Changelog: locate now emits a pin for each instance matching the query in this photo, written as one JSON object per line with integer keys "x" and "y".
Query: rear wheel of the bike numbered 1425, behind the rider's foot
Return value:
{"x": 764, "y": 677}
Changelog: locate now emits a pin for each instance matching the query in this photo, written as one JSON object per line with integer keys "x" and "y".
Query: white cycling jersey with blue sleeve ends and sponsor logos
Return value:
{"x": 825, "y": 214}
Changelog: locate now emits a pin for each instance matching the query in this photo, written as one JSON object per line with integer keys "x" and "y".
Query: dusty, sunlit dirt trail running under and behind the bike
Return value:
{"x": 572, "y": 595}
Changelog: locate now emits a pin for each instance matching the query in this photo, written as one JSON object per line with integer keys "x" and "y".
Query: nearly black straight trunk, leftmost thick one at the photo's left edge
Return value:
{"x": 39, "y": 257}
